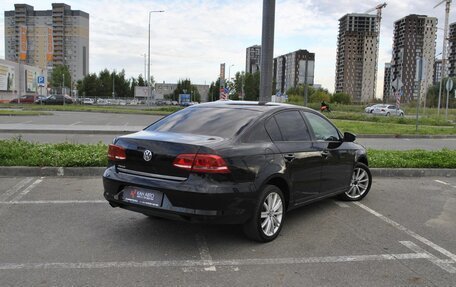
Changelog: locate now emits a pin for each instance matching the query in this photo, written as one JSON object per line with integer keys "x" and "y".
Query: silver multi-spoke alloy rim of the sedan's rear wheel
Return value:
{"x": 271, "y": 214}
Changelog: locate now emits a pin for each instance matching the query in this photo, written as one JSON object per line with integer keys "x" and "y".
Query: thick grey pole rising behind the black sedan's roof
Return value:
{"x": 267, "y": 50}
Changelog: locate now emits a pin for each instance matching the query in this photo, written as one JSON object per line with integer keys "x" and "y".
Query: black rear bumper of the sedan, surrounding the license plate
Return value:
{"x": 191, "y": 200}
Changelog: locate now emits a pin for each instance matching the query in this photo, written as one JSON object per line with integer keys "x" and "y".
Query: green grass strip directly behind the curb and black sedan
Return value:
{"x": 17, "y": 152}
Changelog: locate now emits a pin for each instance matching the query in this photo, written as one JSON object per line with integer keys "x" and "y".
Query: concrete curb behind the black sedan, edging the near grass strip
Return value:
{"x": 98, "y": 171}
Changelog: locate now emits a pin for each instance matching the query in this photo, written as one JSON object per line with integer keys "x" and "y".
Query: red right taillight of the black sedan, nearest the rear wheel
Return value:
{"x": 206, "y": 163}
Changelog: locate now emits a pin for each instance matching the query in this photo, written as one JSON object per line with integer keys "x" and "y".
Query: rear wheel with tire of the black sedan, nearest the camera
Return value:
{"x": 268, "y": 215}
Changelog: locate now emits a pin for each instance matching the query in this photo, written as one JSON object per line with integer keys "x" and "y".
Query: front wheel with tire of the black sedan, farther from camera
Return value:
{"x": 360, "y": 183}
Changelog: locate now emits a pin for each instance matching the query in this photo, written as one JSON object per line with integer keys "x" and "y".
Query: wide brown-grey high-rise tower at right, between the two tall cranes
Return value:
{"x": 414, "y": 37}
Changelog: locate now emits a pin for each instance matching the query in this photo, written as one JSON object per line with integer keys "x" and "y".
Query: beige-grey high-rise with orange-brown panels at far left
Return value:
{"x": 48, "y": 37}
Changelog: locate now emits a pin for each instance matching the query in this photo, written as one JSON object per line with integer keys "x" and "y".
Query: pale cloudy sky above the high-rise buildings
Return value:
{"x": 193, "y": 37}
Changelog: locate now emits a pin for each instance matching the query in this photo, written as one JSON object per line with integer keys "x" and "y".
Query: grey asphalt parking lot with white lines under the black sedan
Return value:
{"x": 58, "y": 231}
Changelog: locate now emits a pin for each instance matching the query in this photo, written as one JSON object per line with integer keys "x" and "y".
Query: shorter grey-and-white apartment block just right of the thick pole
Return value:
{"x": 293, "y": 69}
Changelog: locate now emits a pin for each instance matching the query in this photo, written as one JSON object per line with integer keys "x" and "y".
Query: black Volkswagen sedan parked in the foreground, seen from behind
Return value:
{"x": 235, "y": 162}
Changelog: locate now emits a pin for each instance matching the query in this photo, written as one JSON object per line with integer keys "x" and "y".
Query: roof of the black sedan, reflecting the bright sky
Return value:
{"x": 251, "y": 105}
